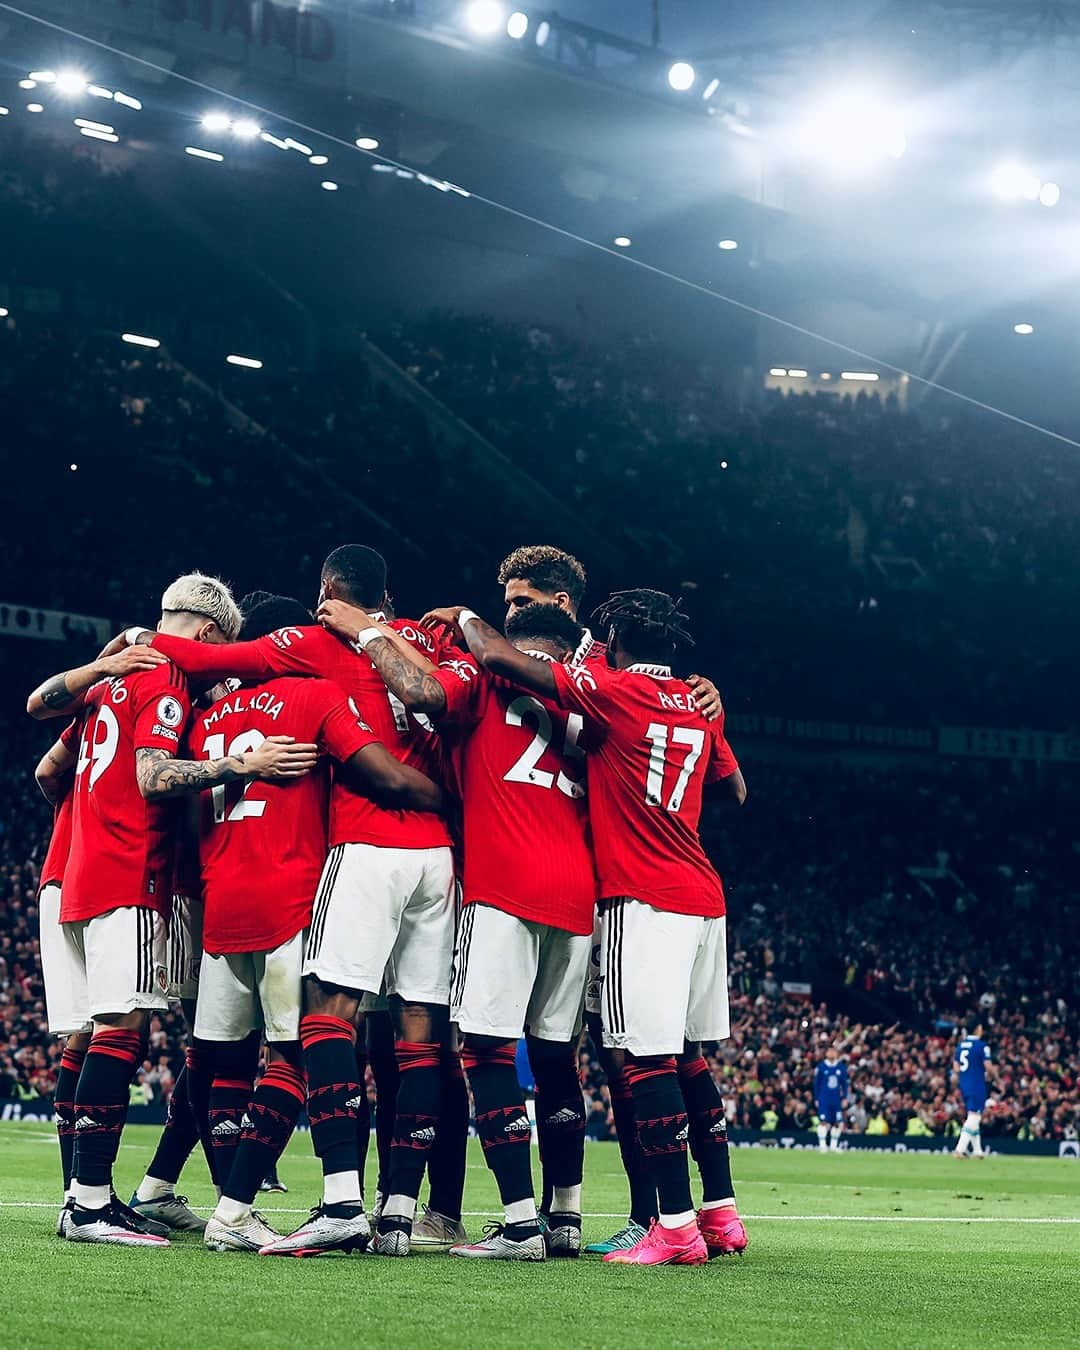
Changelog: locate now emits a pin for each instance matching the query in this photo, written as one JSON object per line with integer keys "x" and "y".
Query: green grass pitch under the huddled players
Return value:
{"x": 859, "y": 1249}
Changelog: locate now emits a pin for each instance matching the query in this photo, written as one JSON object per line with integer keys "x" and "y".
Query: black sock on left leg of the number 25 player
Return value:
{"x": 503, "y": 1125}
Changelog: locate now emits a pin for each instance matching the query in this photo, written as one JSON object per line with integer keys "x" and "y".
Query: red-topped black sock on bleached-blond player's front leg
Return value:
{"x": 102, "y": 1101}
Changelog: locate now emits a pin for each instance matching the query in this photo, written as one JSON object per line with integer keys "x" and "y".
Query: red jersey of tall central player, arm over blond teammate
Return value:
{"x": 313, "y": 651}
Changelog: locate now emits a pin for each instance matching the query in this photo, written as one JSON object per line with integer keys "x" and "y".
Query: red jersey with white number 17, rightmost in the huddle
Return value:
{"x": 651, "y": 753}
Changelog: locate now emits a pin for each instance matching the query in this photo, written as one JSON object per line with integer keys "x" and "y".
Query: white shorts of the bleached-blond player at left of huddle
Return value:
{"x": 115, "y": 963}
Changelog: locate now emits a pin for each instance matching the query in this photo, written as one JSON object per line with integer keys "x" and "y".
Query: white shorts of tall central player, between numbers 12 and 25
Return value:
{"x": 384, "y": 923}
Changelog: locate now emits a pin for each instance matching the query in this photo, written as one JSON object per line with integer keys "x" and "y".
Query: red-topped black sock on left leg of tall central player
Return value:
{"x": 334, "y": 1100}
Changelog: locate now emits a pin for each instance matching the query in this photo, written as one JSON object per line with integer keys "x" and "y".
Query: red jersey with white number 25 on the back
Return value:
{"x": 526, "y": 817}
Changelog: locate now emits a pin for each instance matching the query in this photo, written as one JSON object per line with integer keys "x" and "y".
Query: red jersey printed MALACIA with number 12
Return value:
{"x": 264, "y": 844}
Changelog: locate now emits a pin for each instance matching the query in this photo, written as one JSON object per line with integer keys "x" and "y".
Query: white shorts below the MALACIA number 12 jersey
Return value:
{"x": 244, "y": 992}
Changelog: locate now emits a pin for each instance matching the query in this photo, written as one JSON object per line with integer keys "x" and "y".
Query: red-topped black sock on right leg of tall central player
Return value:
{"x": 419, "y": 1102}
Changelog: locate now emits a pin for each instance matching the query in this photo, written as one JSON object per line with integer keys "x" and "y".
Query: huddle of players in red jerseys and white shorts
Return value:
{"x": 330, "y": 890}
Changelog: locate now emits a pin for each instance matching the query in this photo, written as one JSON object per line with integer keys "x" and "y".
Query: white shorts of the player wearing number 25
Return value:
{"x": 512, "y": 975}
